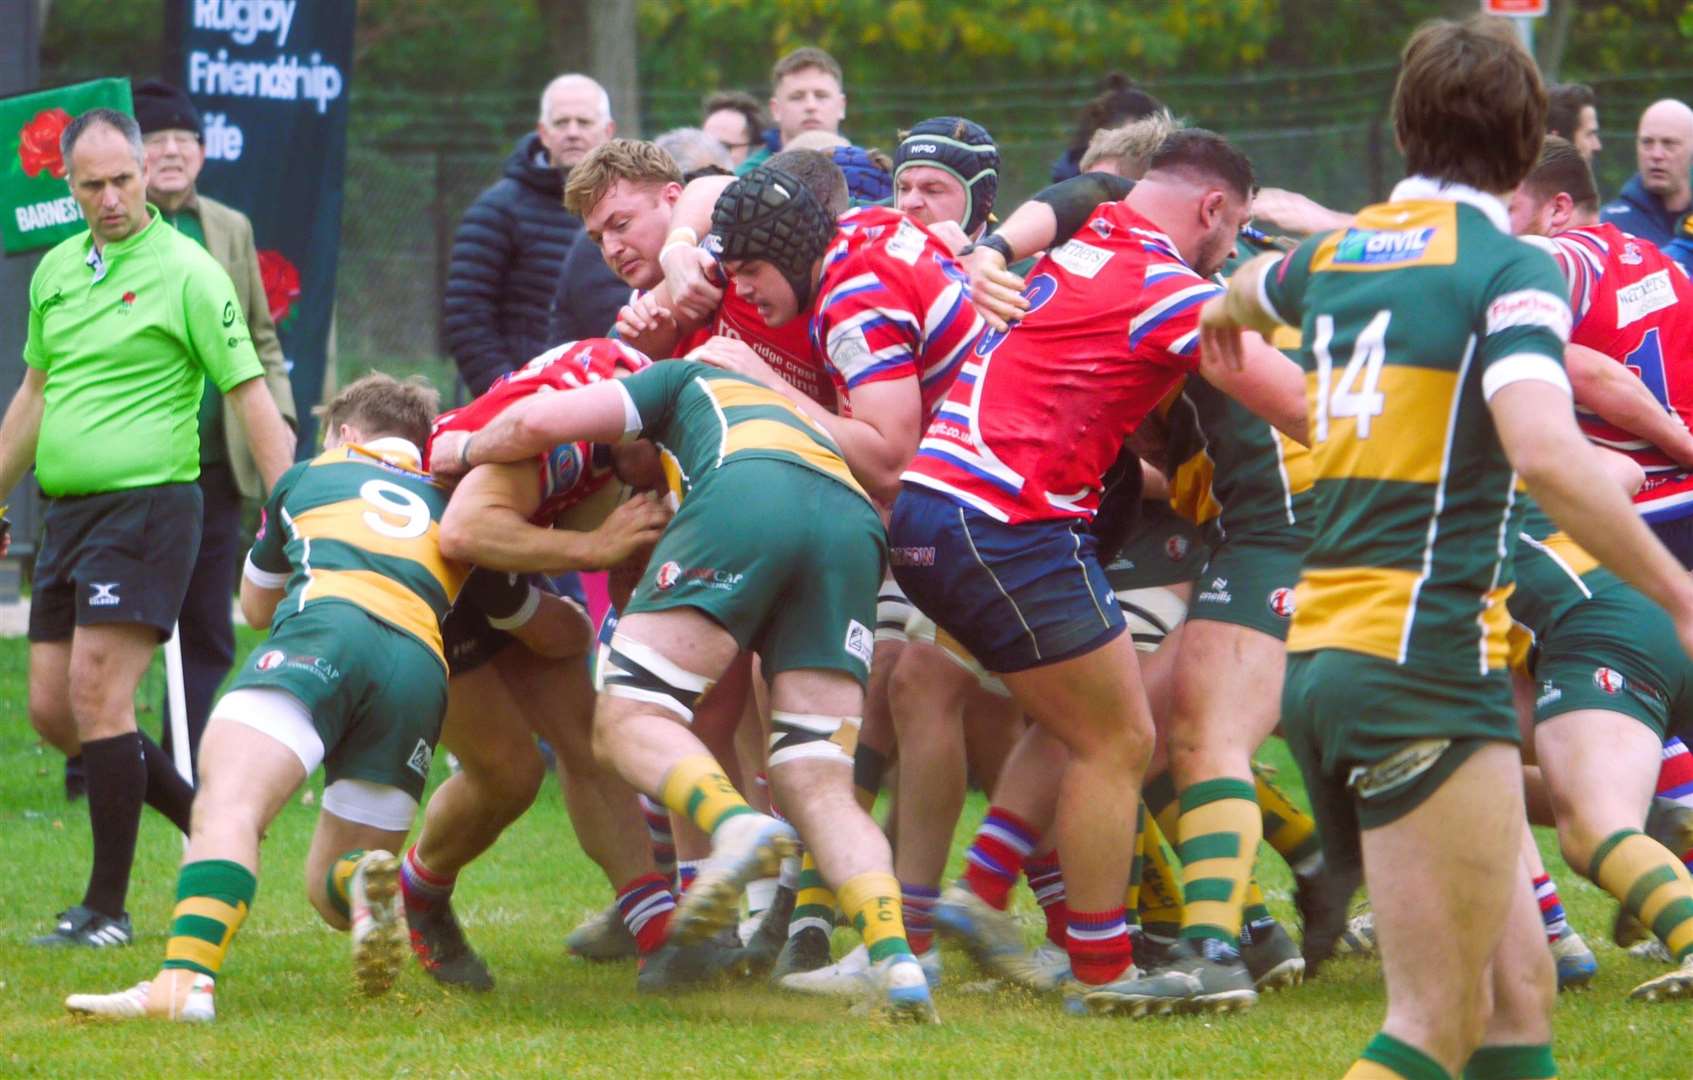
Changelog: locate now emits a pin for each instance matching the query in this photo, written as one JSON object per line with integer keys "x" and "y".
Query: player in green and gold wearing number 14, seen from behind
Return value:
{"x": 1453, "y": 338}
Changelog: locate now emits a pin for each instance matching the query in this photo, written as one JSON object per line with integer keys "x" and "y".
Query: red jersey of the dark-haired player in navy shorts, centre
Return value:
{"x": 1040, "y": 414}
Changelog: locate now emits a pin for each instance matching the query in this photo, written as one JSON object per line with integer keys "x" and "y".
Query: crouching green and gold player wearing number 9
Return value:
{"x": 348, "y": 573}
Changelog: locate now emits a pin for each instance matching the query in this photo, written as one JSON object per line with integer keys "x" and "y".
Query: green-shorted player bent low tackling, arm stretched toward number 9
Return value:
{"x": 778, "y": 549}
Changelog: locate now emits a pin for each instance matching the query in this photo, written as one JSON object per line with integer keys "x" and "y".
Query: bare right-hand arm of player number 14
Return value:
{"x": 1572, "y": 483}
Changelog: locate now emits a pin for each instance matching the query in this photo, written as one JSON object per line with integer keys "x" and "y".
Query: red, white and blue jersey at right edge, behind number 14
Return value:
{"x": 1636, "y": 306}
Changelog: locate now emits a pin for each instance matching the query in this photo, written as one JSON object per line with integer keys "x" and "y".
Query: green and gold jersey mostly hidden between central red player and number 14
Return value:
{"x": 1233, "y": 475}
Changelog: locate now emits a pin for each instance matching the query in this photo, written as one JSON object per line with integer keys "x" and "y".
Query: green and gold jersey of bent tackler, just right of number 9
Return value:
{"x": 705, "y": 417}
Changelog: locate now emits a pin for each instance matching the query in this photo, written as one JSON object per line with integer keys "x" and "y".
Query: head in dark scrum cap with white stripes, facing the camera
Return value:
{"x": 947, "y": 170}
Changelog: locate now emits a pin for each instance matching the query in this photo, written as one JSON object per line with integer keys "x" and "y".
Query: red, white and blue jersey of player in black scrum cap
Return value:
{"x": 893, "y": 304}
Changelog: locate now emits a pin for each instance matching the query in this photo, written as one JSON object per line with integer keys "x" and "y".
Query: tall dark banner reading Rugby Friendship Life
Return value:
{"x": 272, "y": 80}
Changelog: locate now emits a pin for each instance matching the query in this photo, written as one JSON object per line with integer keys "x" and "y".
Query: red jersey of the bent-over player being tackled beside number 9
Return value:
{"x": 570, "y": 471}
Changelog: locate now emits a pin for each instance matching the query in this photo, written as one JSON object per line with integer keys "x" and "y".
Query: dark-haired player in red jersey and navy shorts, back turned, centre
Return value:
{"x": 991, "y": 536}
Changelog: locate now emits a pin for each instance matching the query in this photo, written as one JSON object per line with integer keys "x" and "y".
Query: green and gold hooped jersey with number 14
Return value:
{"x": 1411, "y": 321}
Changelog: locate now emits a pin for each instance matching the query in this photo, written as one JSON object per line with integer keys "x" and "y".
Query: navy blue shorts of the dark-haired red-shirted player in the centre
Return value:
{"x": 1017, "y": 597}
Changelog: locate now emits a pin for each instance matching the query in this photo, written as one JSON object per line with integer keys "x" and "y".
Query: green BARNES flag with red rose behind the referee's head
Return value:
{"x": 36, "y": 207}
